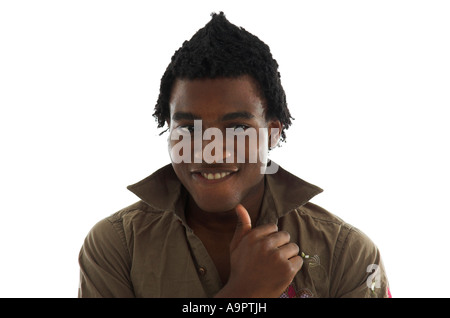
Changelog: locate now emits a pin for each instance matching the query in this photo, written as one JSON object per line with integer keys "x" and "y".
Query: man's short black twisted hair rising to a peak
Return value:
{"x": 221, "y": 49}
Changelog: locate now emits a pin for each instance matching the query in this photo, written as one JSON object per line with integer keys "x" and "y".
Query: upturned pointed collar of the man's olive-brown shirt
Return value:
{"x": 284, "y": 192}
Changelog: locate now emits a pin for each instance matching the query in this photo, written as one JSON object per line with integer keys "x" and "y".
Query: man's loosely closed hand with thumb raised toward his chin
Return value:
{"x": 263, "y": 262}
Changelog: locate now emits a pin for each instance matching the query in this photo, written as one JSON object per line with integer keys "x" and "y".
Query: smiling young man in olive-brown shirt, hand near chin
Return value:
{"x": 221, "y": 221}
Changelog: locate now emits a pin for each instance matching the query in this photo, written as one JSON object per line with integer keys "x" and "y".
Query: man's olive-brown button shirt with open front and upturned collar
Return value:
{"x": 148, "y": 249}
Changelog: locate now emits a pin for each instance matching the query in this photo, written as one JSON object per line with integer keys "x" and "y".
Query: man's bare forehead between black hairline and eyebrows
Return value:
{"x": 216, "y": 97}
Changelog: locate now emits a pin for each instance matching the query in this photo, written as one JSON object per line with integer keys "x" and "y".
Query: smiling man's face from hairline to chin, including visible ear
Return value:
{"x": 226, "y": 105}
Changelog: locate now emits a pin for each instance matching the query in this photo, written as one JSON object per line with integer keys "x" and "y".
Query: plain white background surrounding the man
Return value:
{"x": 367, "y": 82}
